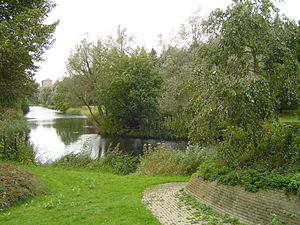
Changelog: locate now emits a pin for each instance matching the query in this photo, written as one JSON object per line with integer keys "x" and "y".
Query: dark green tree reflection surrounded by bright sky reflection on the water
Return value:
{"x": 69, "y": 130}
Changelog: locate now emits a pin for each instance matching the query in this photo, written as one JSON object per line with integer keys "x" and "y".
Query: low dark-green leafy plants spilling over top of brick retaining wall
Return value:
{"x": 252, "y": 180}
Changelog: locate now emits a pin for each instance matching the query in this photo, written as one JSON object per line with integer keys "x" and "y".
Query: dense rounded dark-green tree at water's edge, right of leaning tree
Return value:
{"x": 128, "y": 91}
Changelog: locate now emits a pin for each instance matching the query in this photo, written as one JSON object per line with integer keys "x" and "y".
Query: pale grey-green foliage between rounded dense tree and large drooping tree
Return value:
{"x": 176, "y": 65}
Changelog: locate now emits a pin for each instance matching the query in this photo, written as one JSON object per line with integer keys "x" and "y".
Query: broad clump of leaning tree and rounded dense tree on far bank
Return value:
{"x": 120, "y": 81}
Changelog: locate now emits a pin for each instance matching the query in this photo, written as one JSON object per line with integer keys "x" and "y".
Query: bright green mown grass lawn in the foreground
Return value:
{"x": 78, "y": 196}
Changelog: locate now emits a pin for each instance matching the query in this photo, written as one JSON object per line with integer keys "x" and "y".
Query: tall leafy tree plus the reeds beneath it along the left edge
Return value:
{"x": 23, "y": 39}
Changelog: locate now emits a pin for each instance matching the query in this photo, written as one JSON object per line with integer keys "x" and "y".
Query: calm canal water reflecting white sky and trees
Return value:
{"x": 55, "y": 134}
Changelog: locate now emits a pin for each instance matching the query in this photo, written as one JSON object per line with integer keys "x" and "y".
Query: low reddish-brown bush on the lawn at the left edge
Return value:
{"x": 17, "y": 185}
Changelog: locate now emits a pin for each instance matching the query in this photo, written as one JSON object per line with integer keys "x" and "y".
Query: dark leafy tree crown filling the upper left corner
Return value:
{"x": 23, "y": 39}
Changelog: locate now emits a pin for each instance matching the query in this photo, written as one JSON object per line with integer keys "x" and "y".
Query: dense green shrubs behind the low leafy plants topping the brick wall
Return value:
{"x": 272, "y": 145}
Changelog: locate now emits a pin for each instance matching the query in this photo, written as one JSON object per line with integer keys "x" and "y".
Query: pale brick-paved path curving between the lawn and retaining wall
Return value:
{"x": 163, "y": 204}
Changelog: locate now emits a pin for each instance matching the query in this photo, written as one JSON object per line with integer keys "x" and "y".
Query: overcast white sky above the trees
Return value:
{"x": 145, "y": 19}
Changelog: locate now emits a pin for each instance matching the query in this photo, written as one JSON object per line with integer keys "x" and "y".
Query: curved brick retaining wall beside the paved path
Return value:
{"x": 249, "y": 208}
